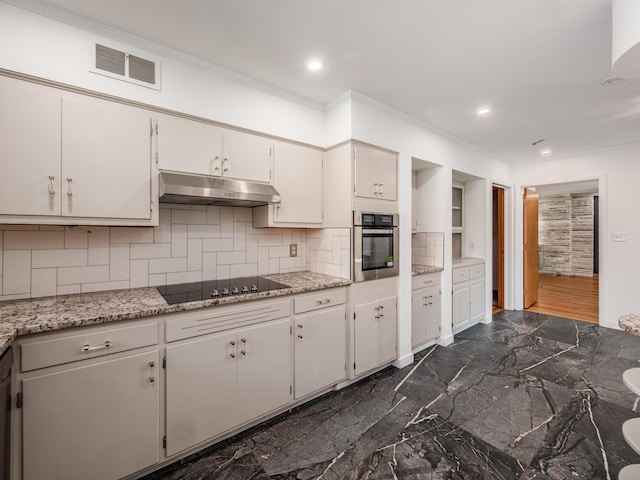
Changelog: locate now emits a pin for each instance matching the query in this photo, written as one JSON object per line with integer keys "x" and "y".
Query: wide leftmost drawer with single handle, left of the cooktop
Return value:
{"x": 92, "y": 344}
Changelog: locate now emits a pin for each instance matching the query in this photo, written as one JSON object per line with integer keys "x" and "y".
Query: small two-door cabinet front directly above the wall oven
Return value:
{"x": 376, "y": 173}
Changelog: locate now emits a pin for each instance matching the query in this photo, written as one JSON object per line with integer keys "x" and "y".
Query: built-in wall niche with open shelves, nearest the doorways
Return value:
{"x": 468, "y": 215}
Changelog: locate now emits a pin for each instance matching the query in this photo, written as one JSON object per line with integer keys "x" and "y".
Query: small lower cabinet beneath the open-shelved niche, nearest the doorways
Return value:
{"x": 468, "y": 295}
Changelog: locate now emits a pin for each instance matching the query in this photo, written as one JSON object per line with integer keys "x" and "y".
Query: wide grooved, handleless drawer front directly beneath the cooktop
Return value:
{"x": 220, "y": 318}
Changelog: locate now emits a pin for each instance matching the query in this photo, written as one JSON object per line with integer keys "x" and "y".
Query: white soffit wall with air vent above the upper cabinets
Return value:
{"x": 36, "y": 45}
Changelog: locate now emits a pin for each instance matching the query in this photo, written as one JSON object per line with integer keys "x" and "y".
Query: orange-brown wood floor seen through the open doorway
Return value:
{"x": 568, "y": 297}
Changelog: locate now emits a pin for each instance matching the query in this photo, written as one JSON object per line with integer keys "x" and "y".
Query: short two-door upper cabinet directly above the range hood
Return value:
{"x": 196, "y": 147}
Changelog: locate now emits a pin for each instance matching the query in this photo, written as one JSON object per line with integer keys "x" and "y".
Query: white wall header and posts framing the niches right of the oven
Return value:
{"x": 379, "y": 124}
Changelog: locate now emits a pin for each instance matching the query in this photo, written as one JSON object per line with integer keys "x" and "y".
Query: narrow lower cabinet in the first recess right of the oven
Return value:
{"x": 425, "y": 309}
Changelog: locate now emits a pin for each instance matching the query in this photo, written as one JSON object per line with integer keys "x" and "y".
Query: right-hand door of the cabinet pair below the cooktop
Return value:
{"x": 264, "y": 369}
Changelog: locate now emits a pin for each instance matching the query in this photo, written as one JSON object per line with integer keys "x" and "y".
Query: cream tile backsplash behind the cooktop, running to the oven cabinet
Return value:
{"x": 191, "y": 243}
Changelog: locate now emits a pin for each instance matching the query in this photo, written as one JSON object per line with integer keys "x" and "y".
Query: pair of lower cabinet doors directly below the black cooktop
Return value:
{"x": 217, "y": 382}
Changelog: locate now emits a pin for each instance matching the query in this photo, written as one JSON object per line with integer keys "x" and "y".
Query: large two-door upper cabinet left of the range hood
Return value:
{"x": 69, "y": 158}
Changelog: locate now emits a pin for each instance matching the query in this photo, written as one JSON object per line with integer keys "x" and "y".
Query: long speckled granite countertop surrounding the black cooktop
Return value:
{"x": 23, "y": 317}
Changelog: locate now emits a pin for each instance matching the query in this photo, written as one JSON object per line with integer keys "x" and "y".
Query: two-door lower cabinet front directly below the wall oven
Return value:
{"x": 375, "y": 334}
